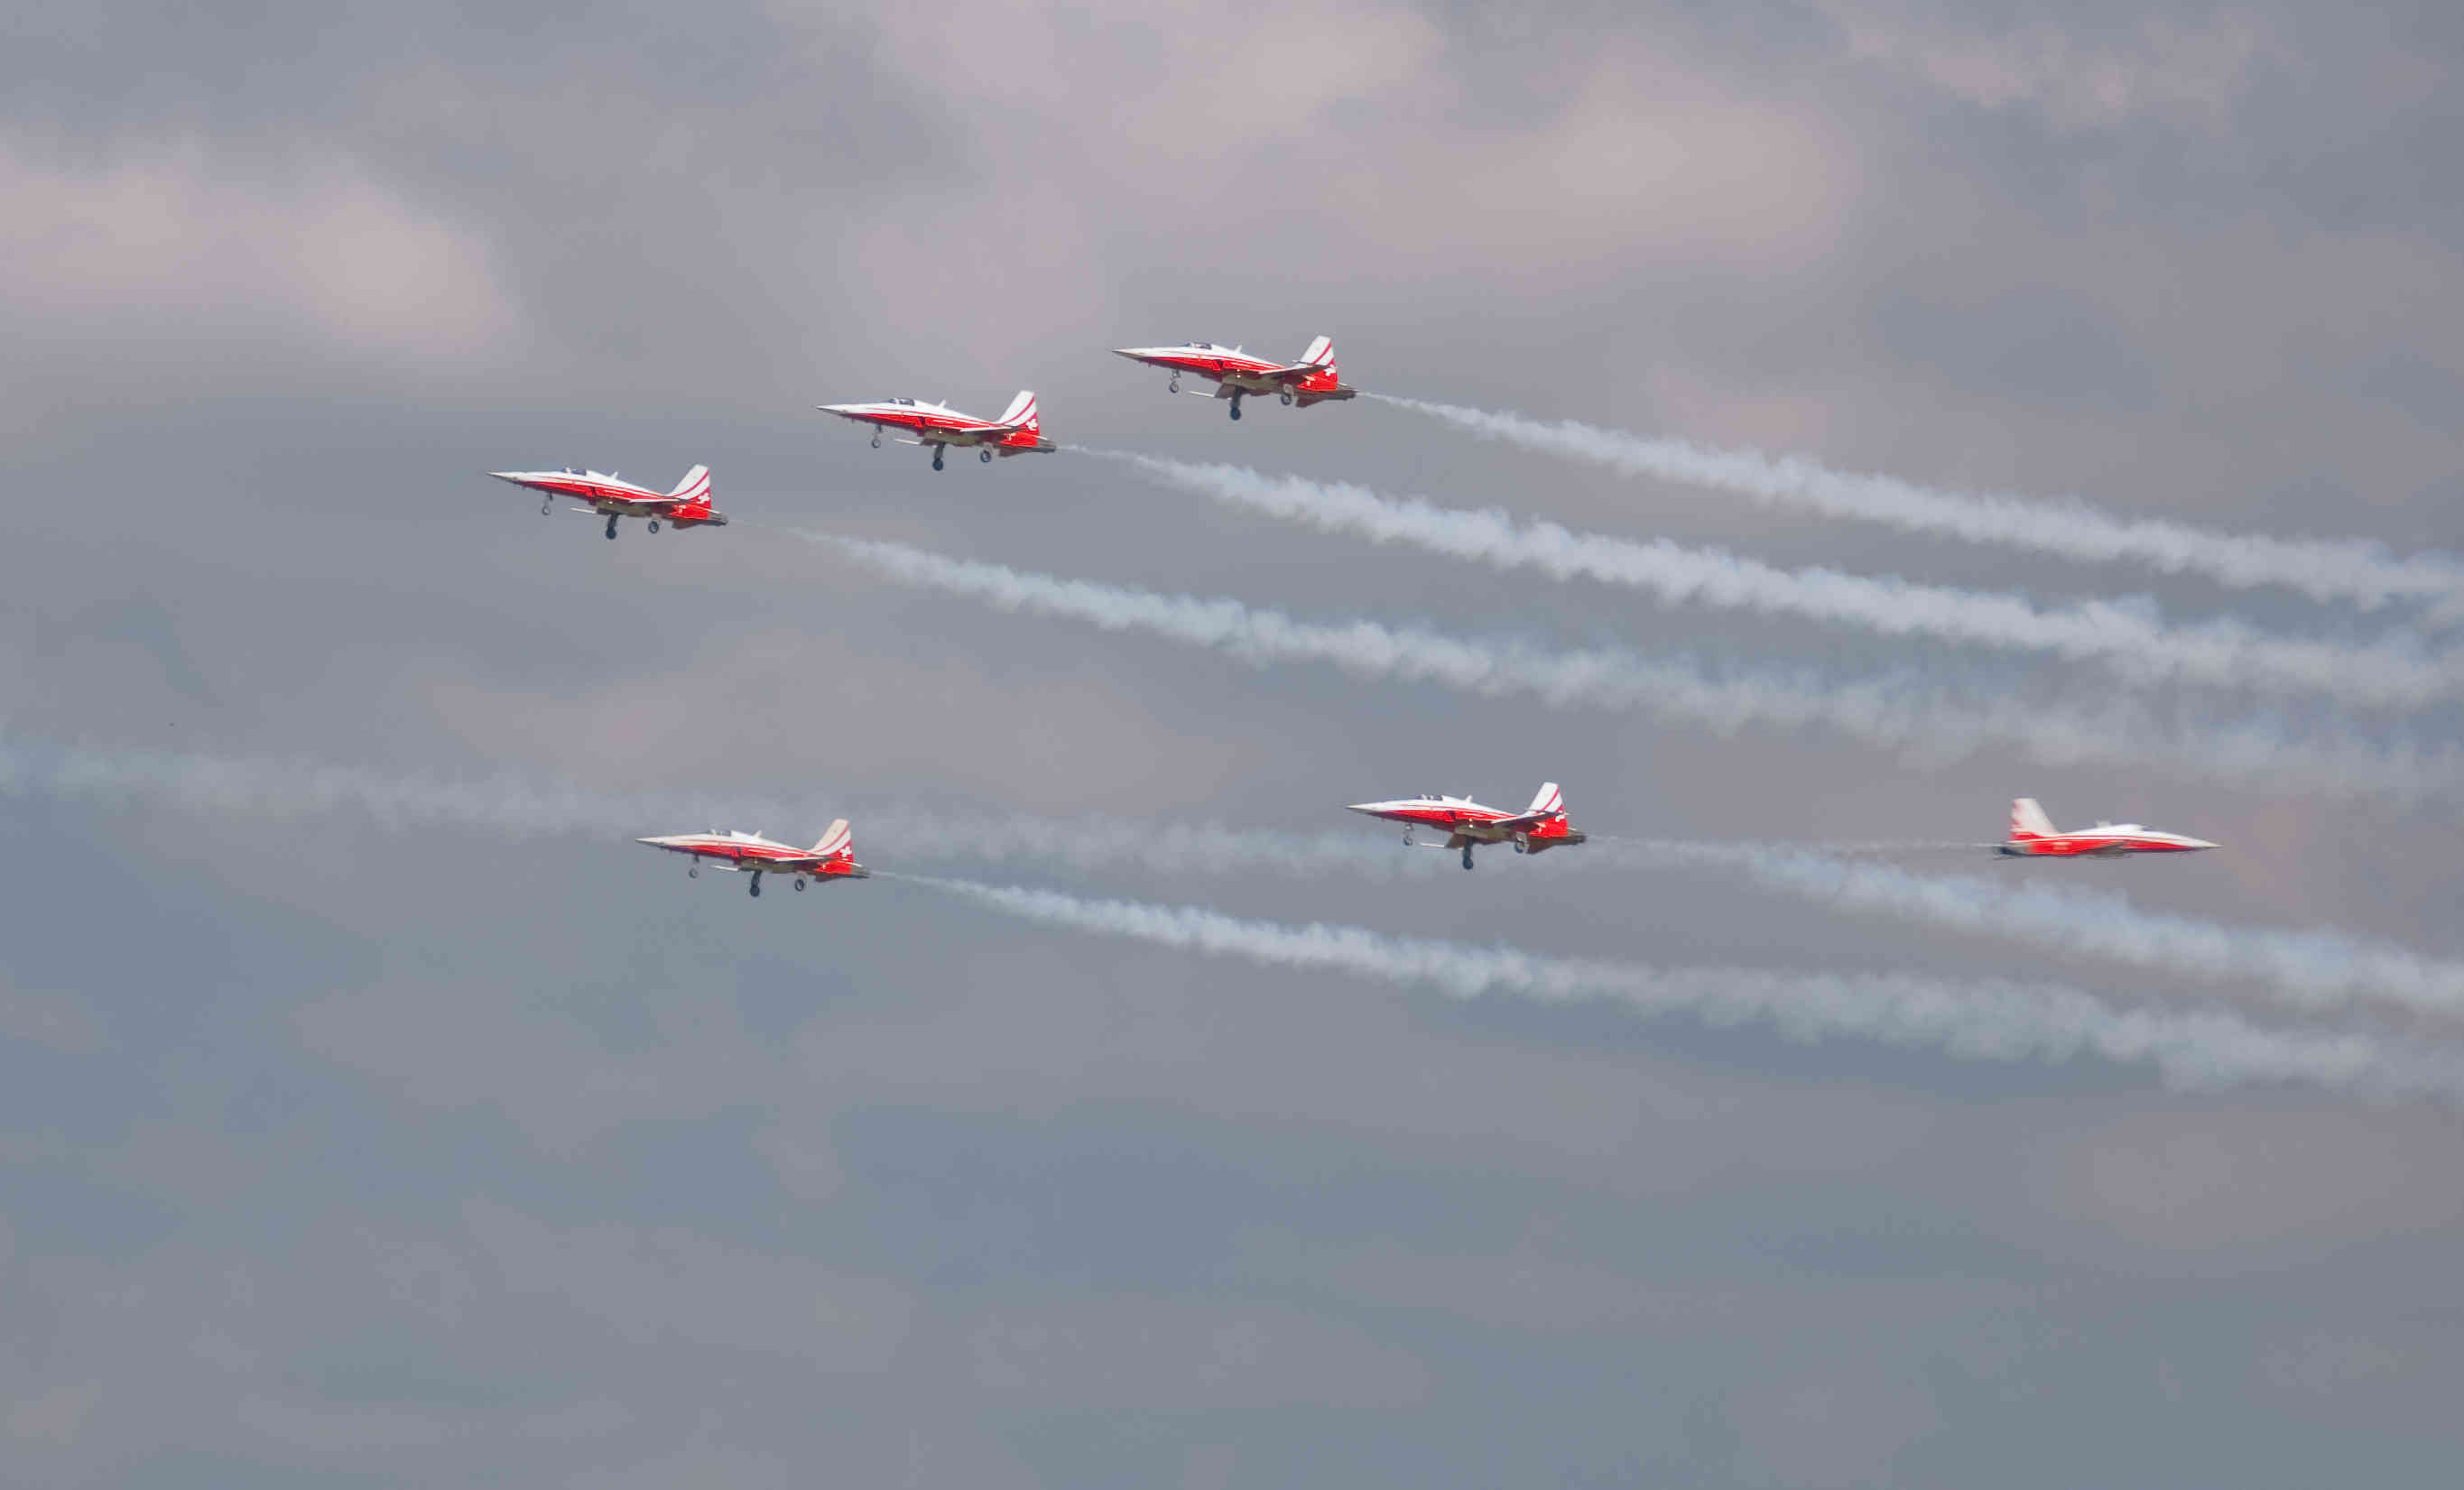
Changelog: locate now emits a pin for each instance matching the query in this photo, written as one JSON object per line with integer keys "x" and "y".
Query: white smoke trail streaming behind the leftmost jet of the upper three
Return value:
{"x": 1903, "y": 713}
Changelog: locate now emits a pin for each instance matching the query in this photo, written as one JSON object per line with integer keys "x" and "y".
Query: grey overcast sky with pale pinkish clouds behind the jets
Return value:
{"x": 339, "y": 1154}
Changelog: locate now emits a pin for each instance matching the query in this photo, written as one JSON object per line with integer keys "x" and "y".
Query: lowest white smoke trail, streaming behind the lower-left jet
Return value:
{"x": 1975, "y": 1021}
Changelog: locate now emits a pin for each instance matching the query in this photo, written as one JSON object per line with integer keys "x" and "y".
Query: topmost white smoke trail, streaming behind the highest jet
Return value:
{"x": 2325, "y": 570}
